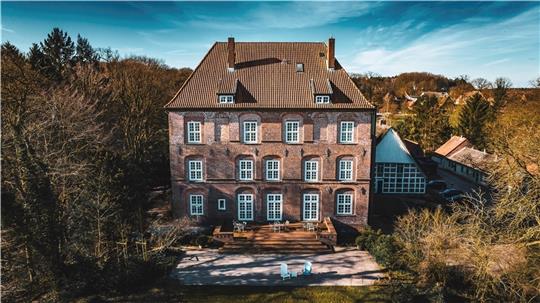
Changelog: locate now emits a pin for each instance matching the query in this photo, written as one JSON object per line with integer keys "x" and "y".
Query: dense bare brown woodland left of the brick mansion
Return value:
{"x": 84, "y": 141}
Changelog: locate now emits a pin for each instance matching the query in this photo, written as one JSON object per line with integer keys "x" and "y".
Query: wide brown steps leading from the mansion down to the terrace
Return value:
{"x": 263, "y": 240}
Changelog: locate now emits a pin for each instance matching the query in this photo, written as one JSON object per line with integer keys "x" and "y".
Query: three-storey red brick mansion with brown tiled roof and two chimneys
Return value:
{"x": 265, "y": 131}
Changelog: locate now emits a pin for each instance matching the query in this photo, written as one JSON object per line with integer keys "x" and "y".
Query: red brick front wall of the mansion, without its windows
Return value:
{"x": 221, "y": 148}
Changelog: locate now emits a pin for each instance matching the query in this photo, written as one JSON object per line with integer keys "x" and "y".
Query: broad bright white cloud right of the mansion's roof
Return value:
{"x": 497, "y": 49}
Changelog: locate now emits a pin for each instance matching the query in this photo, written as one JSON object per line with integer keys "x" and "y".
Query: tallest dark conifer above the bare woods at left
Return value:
{"x": 59, "y": 51}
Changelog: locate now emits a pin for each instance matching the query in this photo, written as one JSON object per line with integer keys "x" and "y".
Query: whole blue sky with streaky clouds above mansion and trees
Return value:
{"x": 479, "y": 39}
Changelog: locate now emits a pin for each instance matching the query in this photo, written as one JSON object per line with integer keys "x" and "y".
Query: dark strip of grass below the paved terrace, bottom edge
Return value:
{"x": 174, "y": 292}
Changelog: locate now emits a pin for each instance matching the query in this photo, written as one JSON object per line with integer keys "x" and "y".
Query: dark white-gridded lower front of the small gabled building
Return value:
{"x": 399, "y": 178}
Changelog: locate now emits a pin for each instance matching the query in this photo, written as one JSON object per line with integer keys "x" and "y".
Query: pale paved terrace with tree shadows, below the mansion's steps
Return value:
{"x": 348, "y": 267}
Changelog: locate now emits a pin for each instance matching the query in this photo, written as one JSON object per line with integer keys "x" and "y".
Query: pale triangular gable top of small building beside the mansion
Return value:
{"x": 391, "y": 149}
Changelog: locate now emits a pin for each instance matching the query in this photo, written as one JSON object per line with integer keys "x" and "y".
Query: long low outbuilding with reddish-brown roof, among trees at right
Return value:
{"x": 458, "y": 156}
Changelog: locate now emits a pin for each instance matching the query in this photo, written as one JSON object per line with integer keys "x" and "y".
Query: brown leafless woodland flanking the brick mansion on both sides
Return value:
{"x": 85, "y": 144}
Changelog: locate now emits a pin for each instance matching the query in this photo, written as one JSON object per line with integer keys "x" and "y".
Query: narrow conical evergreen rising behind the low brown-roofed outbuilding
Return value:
{"x": 473, "y": 119}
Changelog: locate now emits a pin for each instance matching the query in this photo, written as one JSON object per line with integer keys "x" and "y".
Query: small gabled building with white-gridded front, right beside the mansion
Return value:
{"x": 396, "y": 171}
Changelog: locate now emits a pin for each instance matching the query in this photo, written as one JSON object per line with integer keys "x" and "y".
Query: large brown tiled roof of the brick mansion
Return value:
{"x": 265, "y": 76}
